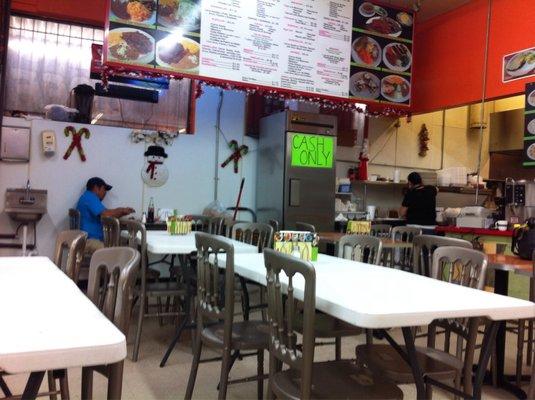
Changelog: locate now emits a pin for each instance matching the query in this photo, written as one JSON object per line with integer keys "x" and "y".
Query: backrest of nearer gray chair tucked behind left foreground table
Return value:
{"x": 112, "y": 278}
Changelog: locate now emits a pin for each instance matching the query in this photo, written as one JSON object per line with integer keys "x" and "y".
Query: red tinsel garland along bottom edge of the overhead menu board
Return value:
{"x": 341, "y": 104}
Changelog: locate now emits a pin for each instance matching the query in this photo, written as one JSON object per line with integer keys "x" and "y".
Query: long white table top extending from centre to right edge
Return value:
{"x": 376, "y": 297}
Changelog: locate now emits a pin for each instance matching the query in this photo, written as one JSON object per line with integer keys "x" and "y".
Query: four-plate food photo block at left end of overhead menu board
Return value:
{"x": 157, "y": 34}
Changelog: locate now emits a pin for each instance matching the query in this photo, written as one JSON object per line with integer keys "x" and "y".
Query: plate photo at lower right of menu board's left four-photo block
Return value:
{"x": 178, "y": 53}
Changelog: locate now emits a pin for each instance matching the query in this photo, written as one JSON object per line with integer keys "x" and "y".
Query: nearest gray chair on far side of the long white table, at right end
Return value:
{"x": 458, "y": 265}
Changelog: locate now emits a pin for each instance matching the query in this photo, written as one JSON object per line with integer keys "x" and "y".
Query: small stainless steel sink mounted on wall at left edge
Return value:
{"x": 25, "y": 205}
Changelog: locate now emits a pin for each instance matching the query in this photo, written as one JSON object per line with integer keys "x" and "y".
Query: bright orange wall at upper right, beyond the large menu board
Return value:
{"x": 449, "y": 53}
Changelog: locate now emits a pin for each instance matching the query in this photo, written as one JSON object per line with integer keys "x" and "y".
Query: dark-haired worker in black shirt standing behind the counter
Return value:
{"x": 419, "y": 203}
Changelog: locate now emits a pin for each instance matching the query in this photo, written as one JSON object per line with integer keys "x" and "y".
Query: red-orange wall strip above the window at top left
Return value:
{"x": 91, "y": 12}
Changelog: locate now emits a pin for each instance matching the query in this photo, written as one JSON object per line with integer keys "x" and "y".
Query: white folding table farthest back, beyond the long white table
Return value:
{"x": 162, "y": 243}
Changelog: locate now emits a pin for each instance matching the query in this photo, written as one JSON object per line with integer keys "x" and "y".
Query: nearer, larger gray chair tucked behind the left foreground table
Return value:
{"x": 112, "y": 278}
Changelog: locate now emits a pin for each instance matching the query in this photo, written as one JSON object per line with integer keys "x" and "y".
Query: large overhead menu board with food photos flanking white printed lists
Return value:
{"x": 300, "y": 46}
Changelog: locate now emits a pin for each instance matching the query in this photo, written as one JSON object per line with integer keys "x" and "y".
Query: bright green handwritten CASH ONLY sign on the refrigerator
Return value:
{"x": 312, "y": 151}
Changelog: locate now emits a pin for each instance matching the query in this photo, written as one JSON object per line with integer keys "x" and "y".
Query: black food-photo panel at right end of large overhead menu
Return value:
{"x": 381, "y": 54}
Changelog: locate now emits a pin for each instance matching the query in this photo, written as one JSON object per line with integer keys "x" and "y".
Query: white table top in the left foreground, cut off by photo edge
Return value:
{"x": 48, "y": 323}
